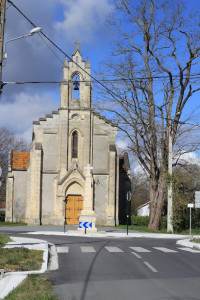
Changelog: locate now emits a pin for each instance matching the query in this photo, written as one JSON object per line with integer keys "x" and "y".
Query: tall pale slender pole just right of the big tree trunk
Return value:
{"x": 170, "y": 199}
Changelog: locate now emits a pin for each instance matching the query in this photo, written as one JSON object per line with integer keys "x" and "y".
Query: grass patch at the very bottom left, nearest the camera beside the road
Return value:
{"x": 35, "y": 287}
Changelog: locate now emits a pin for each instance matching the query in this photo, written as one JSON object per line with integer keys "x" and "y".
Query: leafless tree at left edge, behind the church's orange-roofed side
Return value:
{"x": 7, "y": 142}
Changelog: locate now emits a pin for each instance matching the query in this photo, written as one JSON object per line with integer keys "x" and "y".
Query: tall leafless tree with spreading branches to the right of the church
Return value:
{"x": 151, "y": 67}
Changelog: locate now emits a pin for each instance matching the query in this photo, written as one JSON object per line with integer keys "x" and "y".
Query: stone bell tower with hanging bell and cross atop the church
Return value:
{"x": 76, "y": 86}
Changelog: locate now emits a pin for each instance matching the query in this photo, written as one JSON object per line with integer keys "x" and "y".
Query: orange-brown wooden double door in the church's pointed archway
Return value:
{"x": 73, "y": 208}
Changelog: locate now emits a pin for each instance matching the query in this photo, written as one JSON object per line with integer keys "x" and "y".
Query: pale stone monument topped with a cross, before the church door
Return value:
{"x": 88, "y": 214}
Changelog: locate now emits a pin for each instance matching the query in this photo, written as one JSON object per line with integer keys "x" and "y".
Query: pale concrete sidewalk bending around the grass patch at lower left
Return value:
{"x": 12, "y": 279}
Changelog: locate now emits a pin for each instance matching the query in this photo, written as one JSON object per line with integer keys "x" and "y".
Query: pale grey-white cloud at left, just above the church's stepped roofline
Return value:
{"x": 18, "y": 115}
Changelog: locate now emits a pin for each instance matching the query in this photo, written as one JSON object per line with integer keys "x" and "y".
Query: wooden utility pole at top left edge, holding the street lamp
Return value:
{"x": 2, "y": 22}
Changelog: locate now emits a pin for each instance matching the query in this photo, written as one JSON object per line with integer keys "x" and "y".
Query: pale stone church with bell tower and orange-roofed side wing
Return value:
{"x": 71, "y": 173}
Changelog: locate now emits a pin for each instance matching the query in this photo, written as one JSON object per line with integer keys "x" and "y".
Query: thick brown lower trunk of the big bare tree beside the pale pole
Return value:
{"x": 157, "y": 196}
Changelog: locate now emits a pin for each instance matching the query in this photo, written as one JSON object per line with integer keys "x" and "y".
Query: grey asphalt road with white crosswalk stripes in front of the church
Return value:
{"x": 101, "y": 269}
